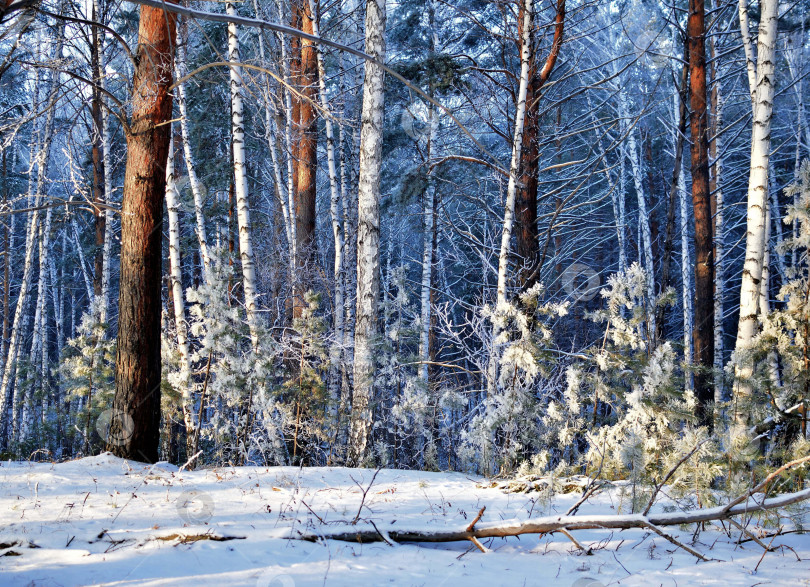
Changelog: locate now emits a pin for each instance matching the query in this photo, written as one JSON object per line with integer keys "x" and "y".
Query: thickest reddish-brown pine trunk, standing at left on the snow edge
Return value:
{"x": 135, "y": 428}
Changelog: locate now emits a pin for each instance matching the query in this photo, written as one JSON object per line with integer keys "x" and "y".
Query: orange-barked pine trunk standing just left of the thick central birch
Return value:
{"x": 305, "y": 149}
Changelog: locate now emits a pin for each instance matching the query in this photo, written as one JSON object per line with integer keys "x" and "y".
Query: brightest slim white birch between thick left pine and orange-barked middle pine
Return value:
{"x": 240, "y": 182}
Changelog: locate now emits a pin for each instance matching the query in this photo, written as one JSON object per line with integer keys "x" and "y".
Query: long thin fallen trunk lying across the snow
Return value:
{"x": 547, "y": 524}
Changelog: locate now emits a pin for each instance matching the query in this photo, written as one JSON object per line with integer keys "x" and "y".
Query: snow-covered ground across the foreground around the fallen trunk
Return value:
{"x": 102, "y": 520}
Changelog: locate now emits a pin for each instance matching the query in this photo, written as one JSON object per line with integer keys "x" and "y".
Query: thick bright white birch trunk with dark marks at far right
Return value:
{"x": 757, "y": 202}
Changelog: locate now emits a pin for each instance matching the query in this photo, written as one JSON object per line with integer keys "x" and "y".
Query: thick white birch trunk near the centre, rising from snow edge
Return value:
{"x": 368, "y": 230}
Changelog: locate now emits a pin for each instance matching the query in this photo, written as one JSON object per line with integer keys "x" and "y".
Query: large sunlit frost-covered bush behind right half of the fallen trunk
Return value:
{"x": 626, "y": 408}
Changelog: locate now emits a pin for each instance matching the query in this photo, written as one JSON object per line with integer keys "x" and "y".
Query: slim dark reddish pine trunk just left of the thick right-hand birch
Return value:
{"x": 703, "y": 335}
